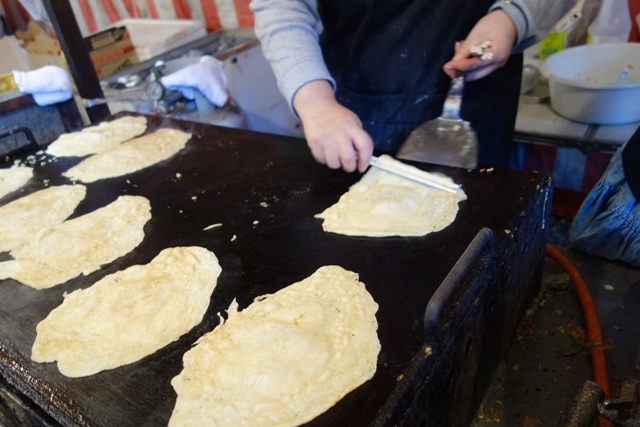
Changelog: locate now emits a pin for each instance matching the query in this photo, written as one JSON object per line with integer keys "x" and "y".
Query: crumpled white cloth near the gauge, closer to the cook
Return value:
{"x": 207, "y": 76}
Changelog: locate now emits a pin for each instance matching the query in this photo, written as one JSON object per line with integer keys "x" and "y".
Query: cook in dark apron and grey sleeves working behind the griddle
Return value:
{"x": 363, "y": 74}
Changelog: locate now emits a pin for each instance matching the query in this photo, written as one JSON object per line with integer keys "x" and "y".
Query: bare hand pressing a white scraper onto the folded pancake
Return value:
{"x": 334, "y": 133}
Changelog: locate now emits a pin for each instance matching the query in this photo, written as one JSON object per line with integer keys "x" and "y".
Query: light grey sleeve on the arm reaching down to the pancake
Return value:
{"x": 288, "y": 31}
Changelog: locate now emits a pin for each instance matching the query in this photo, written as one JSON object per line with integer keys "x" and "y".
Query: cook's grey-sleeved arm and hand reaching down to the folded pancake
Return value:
{"x": 289, "y": 31}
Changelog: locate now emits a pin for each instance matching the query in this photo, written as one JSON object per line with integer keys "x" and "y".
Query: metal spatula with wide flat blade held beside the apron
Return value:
{"x": 447, "y": 140}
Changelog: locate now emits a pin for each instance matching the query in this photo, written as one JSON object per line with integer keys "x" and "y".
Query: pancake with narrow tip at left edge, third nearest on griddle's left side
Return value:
{"x": 80, "y": 245}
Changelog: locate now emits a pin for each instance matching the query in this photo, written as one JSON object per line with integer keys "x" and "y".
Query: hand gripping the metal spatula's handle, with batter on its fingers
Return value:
{"x": 499, "y": 30}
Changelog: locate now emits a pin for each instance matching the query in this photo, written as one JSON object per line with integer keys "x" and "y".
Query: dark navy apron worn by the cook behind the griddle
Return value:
{"x": 387, "y": 58}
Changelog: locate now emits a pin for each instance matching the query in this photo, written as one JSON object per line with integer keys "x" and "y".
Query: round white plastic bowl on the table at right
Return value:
{"x": 582, "y": 83}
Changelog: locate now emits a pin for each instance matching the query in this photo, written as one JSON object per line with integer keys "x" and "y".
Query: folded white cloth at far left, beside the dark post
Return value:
{"x": 48, "y": 85}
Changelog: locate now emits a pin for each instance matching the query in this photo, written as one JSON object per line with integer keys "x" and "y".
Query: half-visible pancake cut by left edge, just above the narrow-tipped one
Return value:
{"x": 27, "y": 216}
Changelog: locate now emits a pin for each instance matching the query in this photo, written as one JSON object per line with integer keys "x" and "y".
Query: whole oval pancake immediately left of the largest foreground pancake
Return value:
{"x": 130, "y": 314}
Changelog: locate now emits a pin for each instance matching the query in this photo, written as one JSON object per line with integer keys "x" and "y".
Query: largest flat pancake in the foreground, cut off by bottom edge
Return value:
{"x": 283, "y": 360}
